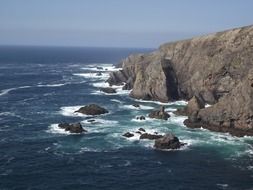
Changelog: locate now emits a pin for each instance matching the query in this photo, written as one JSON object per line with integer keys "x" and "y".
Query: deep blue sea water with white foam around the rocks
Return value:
{"x": 41, "y": 87}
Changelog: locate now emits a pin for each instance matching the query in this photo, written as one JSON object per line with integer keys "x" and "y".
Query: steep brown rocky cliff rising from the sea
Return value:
{"x": 216, "y": 69}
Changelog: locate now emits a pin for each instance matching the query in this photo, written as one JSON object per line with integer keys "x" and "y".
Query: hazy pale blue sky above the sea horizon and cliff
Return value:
{"x": 116, "y": 23}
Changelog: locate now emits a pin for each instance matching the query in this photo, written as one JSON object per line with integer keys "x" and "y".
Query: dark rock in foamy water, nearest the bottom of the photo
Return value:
{"x": 169, "y": 141}
